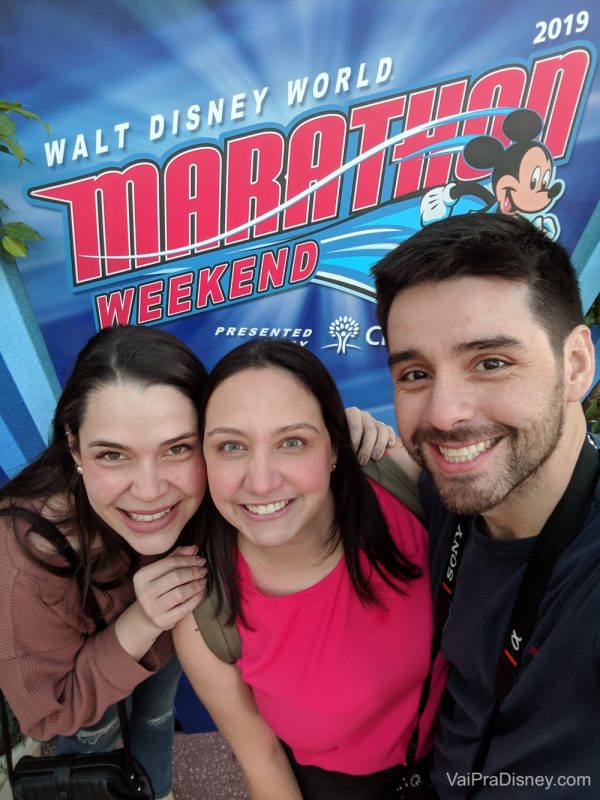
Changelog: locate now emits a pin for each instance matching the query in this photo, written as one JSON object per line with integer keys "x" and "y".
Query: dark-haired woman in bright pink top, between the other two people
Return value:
{"x": 327, "y": 579}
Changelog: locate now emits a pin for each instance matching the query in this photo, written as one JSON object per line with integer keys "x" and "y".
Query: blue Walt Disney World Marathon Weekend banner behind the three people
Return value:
{"x": 233, "y": 169}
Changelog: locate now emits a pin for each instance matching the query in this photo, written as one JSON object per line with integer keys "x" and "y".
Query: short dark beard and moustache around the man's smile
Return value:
{"x": 528, "y": 449}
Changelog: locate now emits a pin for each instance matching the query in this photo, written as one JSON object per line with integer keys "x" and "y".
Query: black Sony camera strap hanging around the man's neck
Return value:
{"x": 561, "y": 528}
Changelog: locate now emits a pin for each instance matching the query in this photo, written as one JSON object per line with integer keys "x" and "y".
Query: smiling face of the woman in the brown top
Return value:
{"x": 142, "y": 462}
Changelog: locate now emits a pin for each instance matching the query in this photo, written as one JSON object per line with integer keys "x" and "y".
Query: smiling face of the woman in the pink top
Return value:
{"x": 269, "y": 457}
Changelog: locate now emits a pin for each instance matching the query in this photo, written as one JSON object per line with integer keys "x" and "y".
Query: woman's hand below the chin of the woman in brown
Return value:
{"x": 166, "y": 591}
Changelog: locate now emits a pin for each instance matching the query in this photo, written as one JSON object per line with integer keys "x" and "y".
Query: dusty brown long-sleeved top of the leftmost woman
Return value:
{"x": 58, "y": 675}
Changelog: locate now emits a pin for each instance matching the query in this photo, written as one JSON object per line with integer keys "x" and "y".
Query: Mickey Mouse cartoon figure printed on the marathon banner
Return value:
{"x": 522, "y": 179}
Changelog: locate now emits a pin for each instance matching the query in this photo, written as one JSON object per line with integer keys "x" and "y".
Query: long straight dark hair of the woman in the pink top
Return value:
{"x": 358, "y": 520}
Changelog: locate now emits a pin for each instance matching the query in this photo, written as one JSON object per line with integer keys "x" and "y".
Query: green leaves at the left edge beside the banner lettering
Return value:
{"x": 13, "y": 235}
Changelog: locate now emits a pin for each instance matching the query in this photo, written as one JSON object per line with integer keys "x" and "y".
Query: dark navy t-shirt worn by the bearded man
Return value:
{"x": 548, "y": 730}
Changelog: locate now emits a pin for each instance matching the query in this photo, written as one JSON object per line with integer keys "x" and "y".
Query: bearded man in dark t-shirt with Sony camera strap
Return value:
{"x": 490, "y": 359}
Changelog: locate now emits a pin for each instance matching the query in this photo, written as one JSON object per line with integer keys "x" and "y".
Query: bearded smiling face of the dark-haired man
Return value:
{"x": 478, "y": 391}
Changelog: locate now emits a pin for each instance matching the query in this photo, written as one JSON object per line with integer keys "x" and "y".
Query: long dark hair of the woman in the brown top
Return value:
{"x": 145, "y": 356}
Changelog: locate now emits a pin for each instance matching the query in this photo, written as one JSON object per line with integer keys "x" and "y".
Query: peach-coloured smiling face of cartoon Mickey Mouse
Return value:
{"x": 529, "y": 191}
